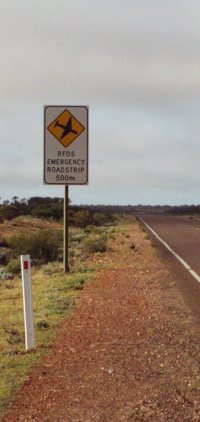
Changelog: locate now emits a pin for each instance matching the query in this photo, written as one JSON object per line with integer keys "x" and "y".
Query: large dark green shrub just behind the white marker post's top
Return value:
{"x": 42, "y": 246}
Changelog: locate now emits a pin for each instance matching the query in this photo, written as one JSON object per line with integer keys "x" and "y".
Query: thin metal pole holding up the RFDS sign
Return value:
{"x": 66, "y": 232}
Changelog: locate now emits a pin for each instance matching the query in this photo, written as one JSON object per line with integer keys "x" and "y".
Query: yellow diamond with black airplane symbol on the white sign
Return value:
{"x": 66, "y": 128}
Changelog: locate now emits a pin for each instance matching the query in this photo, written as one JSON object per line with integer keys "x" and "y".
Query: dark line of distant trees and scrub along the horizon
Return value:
{"x": 47, "y": 207}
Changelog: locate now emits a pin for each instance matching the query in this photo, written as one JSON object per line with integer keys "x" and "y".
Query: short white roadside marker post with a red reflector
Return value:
{"x": 27, "y": 301}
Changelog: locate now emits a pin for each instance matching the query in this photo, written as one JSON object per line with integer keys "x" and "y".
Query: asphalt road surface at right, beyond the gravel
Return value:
{"x": 183, "y": 237}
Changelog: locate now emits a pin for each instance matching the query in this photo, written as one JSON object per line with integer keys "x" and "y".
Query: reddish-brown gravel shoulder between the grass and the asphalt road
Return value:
{"x": 130, "y": 351}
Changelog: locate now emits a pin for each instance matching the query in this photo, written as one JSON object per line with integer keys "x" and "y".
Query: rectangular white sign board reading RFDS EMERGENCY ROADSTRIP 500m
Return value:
{"x": 66, "y": 145}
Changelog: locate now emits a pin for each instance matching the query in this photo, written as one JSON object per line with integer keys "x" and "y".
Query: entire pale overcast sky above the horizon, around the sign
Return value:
{"x": 136, "y": 64}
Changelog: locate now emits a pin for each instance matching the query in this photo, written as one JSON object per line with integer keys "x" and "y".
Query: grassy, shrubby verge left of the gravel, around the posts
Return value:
{"x": 54, "y": 292}
